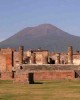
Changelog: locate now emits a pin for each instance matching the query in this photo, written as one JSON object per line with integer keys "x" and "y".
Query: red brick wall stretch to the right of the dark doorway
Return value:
{"x": 53, "y": 75}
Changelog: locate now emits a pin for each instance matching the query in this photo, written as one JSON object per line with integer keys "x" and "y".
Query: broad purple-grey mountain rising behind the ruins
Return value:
{"x": 45, "y": 36}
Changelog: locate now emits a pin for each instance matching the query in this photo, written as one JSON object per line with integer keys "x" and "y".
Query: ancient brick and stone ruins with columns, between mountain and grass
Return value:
{"x": 28, "y": 66}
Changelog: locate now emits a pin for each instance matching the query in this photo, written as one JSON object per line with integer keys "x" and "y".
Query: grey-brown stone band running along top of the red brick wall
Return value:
{"x": 49, "y": 67}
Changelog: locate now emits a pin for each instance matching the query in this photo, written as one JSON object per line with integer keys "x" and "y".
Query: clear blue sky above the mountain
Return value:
{"x": 18, "y": 14}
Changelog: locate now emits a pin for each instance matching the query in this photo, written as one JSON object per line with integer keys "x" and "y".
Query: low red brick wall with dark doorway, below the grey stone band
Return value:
{"x": 27, "y": 76}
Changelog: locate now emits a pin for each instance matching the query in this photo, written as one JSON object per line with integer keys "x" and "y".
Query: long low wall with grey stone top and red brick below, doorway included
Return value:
{"x": 45, "y": 72}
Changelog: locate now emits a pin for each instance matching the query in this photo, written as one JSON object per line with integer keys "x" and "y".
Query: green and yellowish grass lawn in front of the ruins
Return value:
{"x": 49, "y": 90}
